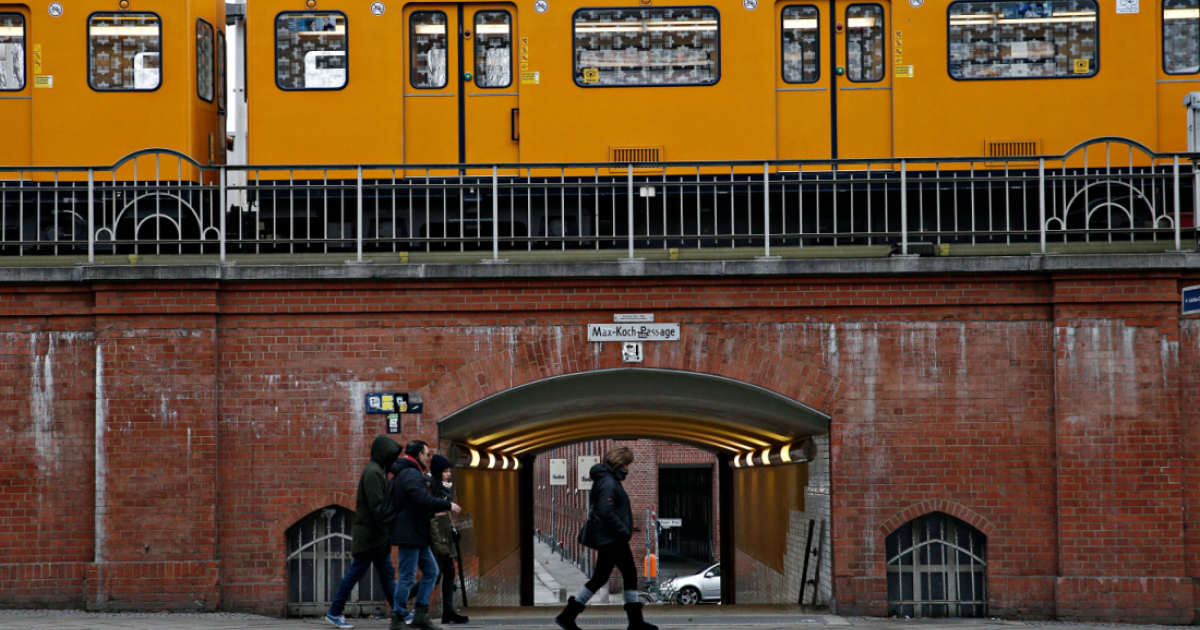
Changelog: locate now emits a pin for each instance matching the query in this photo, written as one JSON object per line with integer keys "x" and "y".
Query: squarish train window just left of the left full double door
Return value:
{"x": 311, "y": 51}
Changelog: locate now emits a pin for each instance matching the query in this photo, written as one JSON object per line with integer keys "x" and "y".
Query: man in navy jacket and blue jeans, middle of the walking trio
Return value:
{"x": 411, "y": 536}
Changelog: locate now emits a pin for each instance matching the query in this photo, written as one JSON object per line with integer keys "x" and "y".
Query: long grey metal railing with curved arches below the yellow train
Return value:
{"x": 1105, "y": 193}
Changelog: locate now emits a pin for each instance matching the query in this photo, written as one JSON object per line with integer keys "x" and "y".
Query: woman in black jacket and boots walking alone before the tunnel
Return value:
{"x": 609, "y": 530}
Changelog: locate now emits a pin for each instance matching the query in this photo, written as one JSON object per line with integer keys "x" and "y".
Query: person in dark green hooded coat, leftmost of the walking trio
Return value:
{"x": 369, "y": 537}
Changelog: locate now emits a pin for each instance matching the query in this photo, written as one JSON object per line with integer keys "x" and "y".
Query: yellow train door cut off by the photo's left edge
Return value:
{"x": 16, "y": 87}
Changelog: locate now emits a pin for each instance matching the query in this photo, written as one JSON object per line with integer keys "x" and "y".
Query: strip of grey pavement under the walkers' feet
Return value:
{"x": 669, "y": 619}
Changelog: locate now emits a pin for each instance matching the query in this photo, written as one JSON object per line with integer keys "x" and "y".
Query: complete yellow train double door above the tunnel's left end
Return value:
{"x": 461, "y": 86}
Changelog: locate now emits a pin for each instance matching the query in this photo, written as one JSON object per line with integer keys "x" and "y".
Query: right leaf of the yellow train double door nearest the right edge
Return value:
{"x": 863, "y": 81}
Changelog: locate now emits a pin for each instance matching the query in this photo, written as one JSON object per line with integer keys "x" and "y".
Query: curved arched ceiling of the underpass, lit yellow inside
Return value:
{"x": 715, "y": 413}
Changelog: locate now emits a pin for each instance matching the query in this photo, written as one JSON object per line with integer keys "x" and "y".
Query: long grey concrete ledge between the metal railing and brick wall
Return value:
{"x": 814, "y": 267}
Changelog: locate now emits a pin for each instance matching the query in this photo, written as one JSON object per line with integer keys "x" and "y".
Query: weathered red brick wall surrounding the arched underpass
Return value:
{"x": 160, "y": 439}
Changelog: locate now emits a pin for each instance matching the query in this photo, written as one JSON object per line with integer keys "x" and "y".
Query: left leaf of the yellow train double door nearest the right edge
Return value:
{"x": 802, "y": 81}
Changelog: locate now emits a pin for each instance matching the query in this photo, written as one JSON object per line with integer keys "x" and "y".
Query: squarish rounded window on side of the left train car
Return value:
{"x": 124, "y": 52}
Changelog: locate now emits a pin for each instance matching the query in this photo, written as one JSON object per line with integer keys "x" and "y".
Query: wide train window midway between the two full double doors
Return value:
{"x": 657, "y": 47}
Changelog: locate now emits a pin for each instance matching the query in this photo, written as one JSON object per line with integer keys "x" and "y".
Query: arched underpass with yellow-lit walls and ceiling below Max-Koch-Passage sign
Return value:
{"x": 758, "y": 446}
